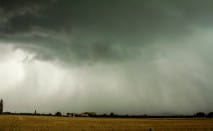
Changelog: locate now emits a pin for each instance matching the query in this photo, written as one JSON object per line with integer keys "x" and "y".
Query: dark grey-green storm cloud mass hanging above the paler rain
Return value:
{"x": 83, "y": 26}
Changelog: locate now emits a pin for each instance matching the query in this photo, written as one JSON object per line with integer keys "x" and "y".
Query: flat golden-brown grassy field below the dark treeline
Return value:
{"x": 50, "y": 123}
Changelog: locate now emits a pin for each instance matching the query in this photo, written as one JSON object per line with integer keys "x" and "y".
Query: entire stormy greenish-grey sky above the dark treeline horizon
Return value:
{"x": 121, "y": 56}
